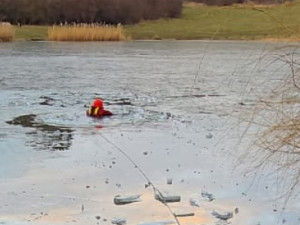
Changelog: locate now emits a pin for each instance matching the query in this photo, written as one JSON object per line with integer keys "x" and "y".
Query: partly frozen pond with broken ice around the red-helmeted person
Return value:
{"x": 177, "y": 107}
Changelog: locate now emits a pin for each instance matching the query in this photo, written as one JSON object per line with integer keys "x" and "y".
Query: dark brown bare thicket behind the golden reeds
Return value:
{"x": 87, "y": 11}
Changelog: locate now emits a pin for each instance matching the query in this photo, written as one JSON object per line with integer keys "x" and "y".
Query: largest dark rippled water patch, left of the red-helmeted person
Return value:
{"x": 44, "y": 136}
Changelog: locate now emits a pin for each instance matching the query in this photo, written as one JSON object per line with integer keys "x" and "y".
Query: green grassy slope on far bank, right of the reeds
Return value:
{"x": 232, "y": 22}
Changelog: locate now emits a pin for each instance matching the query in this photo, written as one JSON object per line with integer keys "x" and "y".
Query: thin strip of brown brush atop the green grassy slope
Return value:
{"x": 230, "y": 2}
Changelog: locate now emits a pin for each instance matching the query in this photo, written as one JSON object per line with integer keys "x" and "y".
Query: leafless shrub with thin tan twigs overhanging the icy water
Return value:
{"x": 276, "y": 118}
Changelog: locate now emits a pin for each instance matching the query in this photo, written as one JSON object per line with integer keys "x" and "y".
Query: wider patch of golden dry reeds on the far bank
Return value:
{"x": 86, "y": 33}
